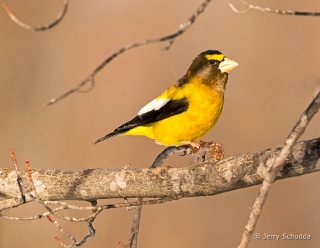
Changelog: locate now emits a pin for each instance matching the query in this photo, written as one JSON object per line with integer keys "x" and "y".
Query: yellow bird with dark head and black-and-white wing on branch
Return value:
{"x": 187, "y": 110}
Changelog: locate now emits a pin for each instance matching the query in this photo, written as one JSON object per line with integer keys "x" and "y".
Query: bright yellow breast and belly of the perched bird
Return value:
{"x": 205, "y": 106}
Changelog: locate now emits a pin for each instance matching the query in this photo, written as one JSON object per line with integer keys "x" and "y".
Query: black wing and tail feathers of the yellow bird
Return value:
{"x": 171, "y": 108}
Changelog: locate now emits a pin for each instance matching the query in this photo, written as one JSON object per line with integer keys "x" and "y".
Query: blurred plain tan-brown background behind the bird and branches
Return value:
{"x": 278, "y": 75}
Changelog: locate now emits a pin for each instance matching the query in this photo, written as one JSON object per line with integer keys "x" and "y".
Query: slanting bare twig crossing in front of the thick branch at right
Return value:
{"x": 296, "y": 132}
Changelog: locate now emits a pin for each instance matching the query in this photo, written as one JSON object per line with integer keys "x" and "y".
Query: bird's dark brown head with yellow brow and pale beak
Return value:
{"x": 212, "y": 67}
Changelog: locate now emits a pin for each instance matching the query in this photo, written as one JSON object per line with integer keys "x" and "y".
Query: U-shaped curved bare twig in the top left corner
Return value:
{"x": 40, "y": 28}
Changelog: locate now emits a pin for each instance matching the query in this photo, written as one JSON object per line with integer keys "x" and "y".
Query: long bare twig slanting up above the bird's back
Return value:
{"x": 170, "y": 38}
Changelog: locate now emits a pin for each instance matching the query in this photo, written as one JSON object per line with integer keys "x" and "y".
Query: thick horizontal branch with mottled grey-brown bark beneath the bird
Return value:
{"x": 205, "y": 179}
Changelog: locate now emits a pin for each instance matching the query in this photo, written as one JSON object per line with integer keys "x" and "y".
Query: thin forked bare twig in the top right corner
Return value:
{"x": 268, "y": 10}
